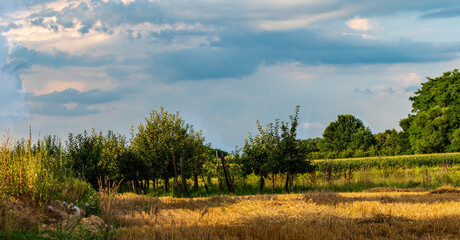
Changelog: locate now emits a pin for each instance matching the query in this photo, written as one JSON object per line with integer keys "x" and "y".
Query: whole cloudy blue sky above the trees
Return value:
{"x": 72, "y": 65}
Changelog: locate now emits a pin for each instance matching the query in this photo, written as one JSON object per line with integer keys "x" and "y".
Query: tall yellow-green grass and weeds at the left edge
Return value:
{"x": 32, "y": 179}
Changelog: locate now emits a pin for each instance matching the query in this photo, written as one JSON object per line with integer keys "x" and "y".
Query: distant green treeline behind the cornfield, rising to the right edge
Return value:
{"x": 432, "y": 127}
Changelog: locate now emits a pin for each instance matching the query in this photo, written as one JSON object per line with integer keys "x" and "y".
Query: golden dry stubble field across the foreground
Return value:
{"x": 378, "y": 214}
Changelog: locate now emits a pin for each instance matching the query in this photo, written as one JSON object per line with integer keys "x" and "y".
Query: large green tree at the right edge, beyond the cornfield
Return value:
{"x": 435, "y": 119}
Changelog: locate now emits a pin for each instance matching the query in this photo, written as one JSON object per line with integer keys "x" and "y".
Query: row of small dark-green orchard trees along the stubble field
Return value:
{"x": 165, "y": 154}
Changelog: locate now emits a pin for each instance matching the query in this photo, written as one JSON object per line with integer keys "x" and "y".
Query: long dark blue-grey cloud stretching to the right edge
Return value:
{"x": 237, "y": 55}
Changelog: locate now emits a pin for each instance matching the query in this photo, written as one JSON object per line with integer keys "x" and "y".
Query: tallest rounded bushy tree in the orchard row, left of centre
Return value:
{"x": 162, "y": 141}
